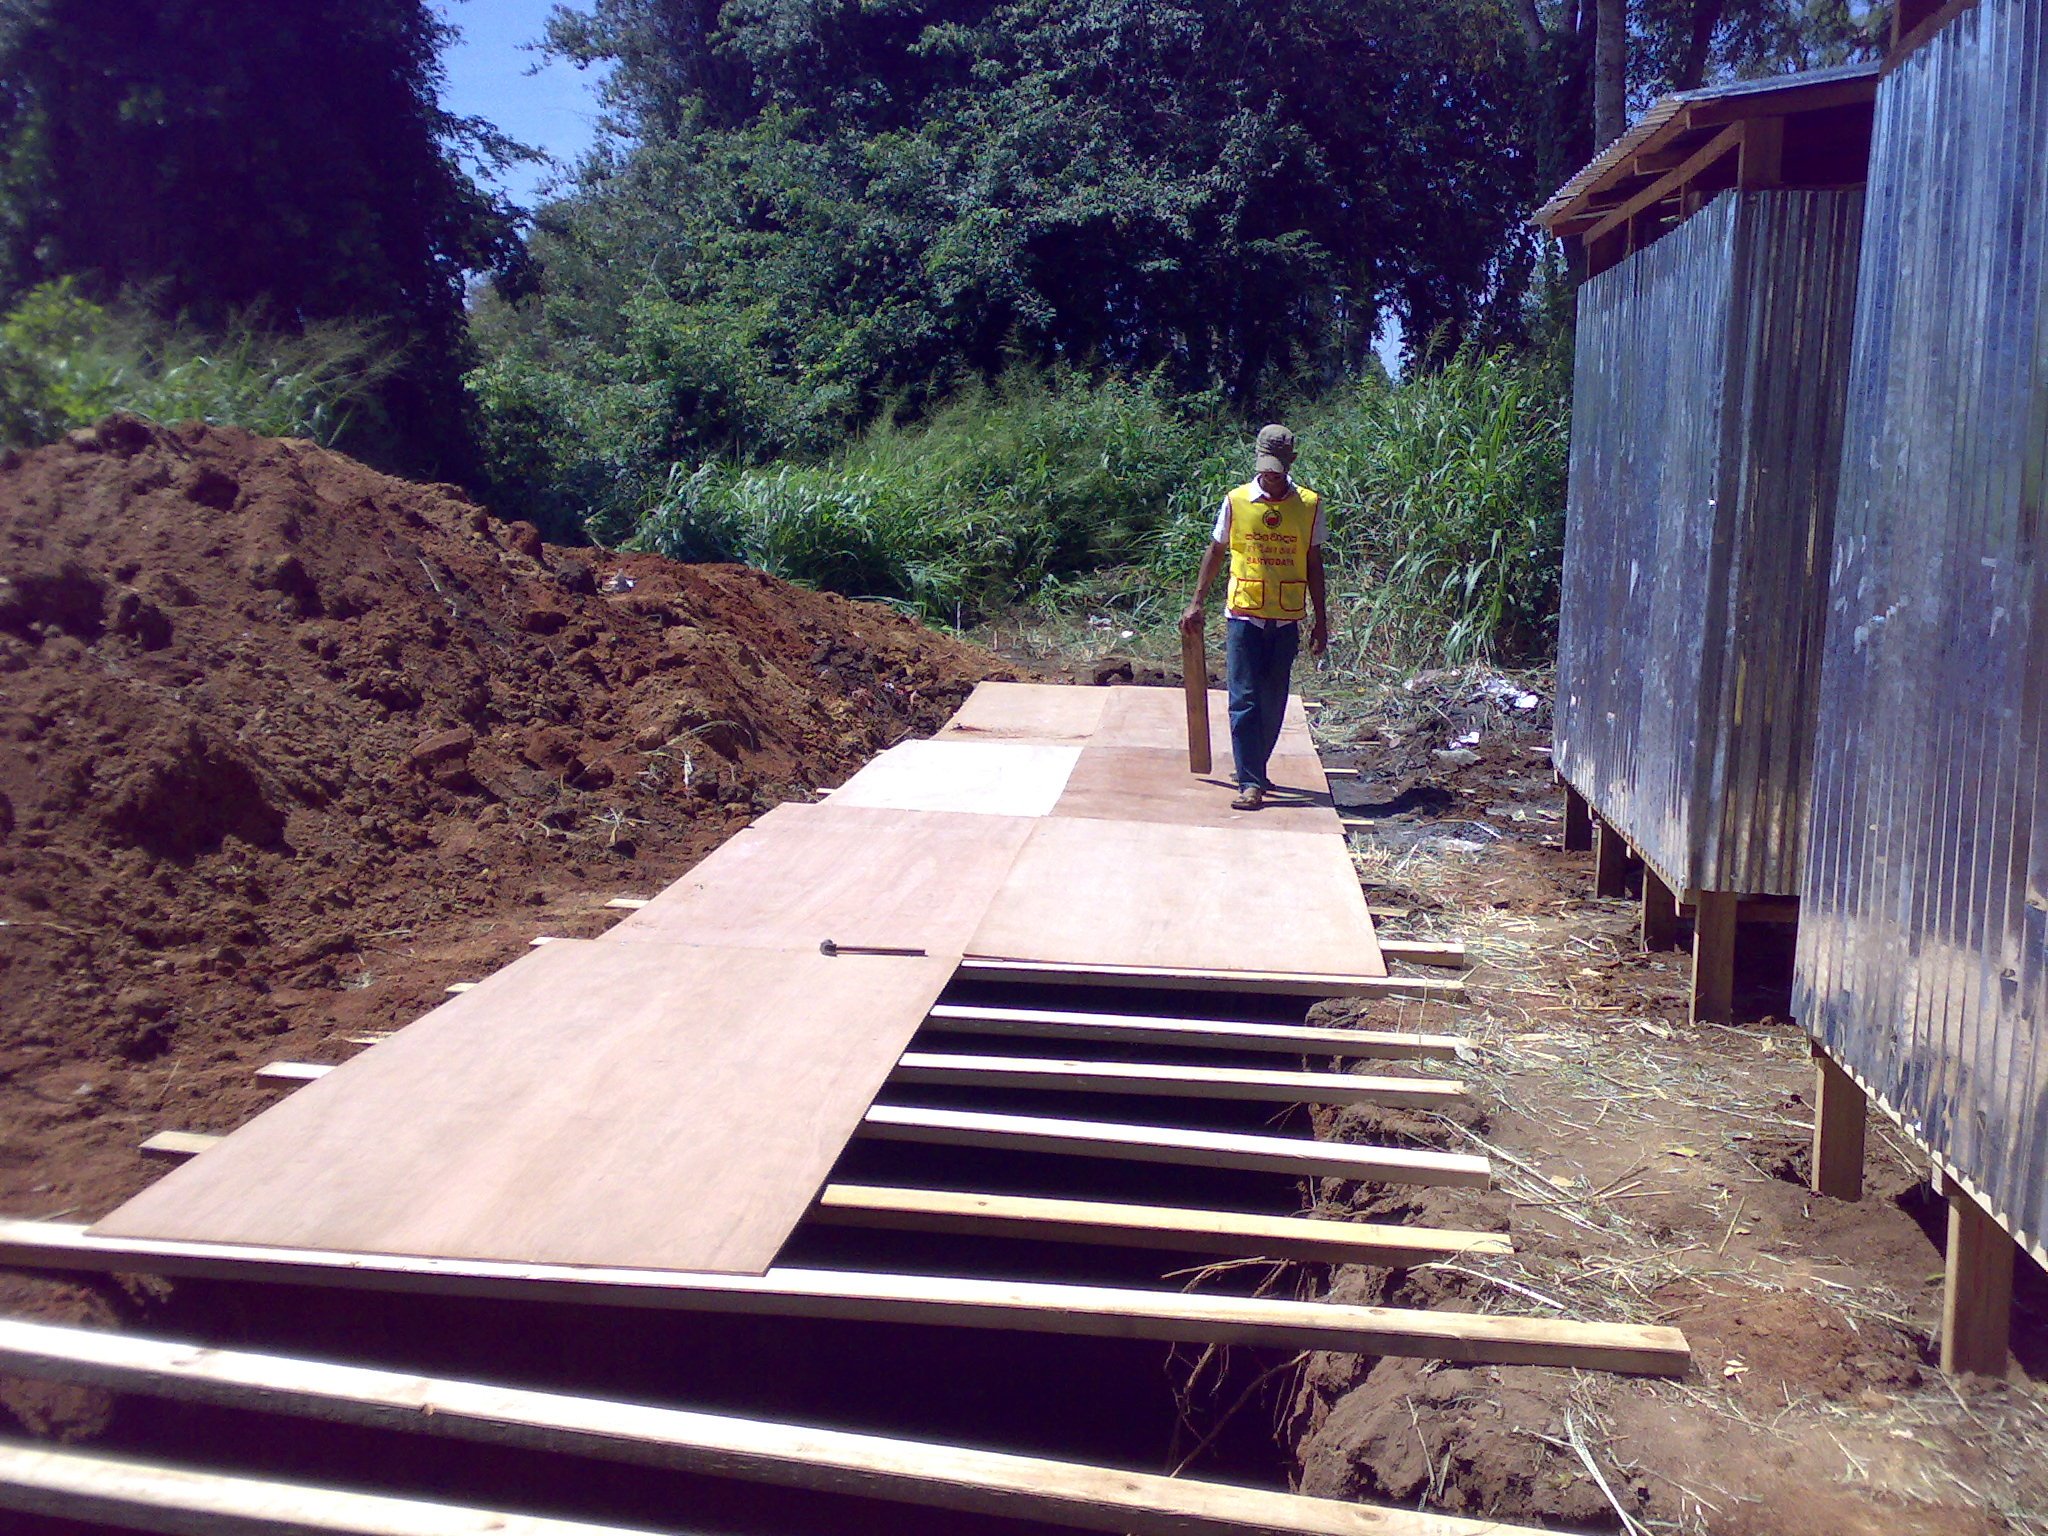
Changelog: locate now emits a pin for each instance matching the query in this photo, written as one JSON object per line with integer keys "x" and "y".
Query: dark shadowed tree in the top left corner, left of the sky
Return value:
{"x": 222, "y": 159}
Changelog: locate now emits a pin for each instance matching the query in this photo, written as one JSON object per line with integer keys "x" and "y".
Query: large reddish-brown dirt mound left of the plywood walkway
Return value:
{"x": 288, "y": 746}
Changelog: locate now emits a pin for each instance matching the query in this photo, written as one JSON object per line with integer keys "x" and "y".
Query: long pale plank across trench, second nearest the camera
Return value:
{"x": 708, "y": 1445}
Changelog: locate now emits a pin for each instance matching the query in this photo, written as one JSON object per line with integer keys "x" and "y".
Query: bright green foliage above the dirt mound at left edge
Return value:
{"x": 69, "y": 364}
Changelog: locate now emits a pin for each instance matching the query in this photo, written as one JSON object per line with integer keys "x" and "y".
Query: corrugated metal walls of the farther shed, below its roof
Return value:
{"x": 1707, "y": 433}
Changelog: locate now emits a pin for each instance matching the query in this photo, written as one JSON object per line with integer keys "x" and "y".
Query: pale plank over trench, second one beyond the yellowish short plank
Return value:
{"x": 1170, "y": 1080}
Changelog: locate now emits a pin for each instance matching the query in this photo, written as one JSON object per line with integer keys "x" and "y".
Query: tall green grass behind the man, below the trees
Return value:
{"x": 1445, "y": 497}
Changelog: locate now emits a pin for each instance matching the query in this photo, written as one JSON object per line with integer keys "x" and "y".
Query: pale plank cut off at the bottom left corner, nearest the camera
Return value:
{"x": 183, "y": 1502}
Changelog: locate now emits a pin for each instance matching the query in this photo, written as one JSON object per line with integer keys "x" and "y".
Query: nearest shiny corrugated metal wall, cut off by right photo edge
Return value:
{"x": 1922, "y": 935}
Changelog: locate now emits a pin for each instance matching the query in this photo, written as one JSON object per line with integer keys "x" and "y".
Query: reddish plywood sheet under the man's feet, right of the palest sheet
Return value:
{"x": 1154, "y": 785}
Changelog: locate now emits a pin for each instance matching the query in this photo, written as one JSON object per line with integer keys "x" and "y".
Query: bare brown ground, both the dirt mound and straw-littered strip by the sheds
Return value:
{"x": 286, "y": 749}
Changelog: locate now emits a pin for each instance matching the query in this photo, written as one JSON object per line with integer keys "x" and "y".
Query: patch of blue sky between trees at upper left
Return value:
{"x": 488, "y": 77}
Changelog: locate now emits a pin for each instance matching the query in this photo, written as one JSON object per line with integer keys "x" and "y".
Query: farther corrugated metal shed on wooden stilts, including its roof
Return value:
{"x": 1713, "y": 359}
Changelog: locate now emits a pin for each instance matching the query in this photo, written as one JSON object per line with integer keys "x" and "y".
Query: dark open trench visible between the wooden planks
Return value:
{"x": 1093, "y": 1400}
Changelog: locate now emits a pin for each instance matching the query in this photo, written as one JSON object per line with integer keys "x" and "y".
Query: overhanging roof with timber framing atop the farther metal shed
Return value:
{"x": 1809, "y": 132}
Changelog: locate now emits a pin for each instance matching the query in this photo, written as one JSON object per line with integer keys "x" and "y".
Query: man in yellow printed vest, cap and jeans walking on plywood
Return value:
{"x": 1273, "y": 536}
